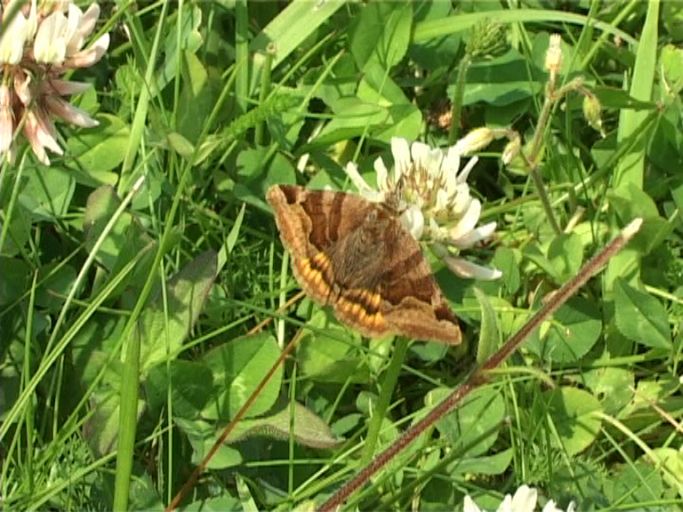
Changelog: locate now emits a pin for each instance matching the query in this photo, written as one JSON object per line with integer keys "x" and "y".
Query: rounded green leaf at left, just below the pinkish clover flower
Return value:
{"x": 47, "y": 192}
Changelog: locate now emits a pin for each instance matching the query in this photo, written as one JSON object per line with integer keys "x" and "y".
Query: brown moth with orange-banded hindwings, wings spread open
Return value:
{"x": 355, "y": 256}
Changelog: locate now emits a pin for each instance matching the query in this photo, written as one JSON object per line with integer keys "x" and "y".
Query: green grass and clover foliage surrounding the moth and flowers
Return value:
{"x": 127, "y": 318}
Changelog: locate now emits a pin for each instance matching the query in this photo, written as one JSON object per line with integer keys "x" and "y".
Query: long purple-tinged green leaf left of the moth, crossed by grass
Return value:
{"x": 164, "y": 327}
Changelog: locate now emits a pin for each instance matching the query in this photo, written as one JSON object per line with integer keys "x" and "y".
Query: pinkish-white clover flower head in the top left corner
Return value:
{"x": 40, "y": 44}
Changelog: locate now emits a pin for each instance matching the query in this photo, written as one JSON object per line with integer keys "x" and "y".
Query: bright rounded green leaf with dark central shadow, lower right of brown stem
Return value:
{"x": 572, "y": 412}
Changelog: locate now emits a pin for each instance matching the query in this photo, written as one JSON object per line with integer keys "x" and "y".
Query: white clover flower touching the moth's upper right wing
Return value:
{"x": 429, "y": 190}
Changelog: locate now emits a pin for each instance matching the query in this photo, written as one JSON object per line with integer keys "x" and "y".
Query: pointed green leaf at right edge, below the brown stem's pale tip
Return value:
{"x": 640, "y": 317}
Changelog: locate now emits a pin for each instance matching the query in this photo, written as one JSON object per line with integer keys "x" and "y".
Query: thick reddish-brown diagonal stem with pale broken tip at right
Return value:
{"x": 478, "y": 376}
